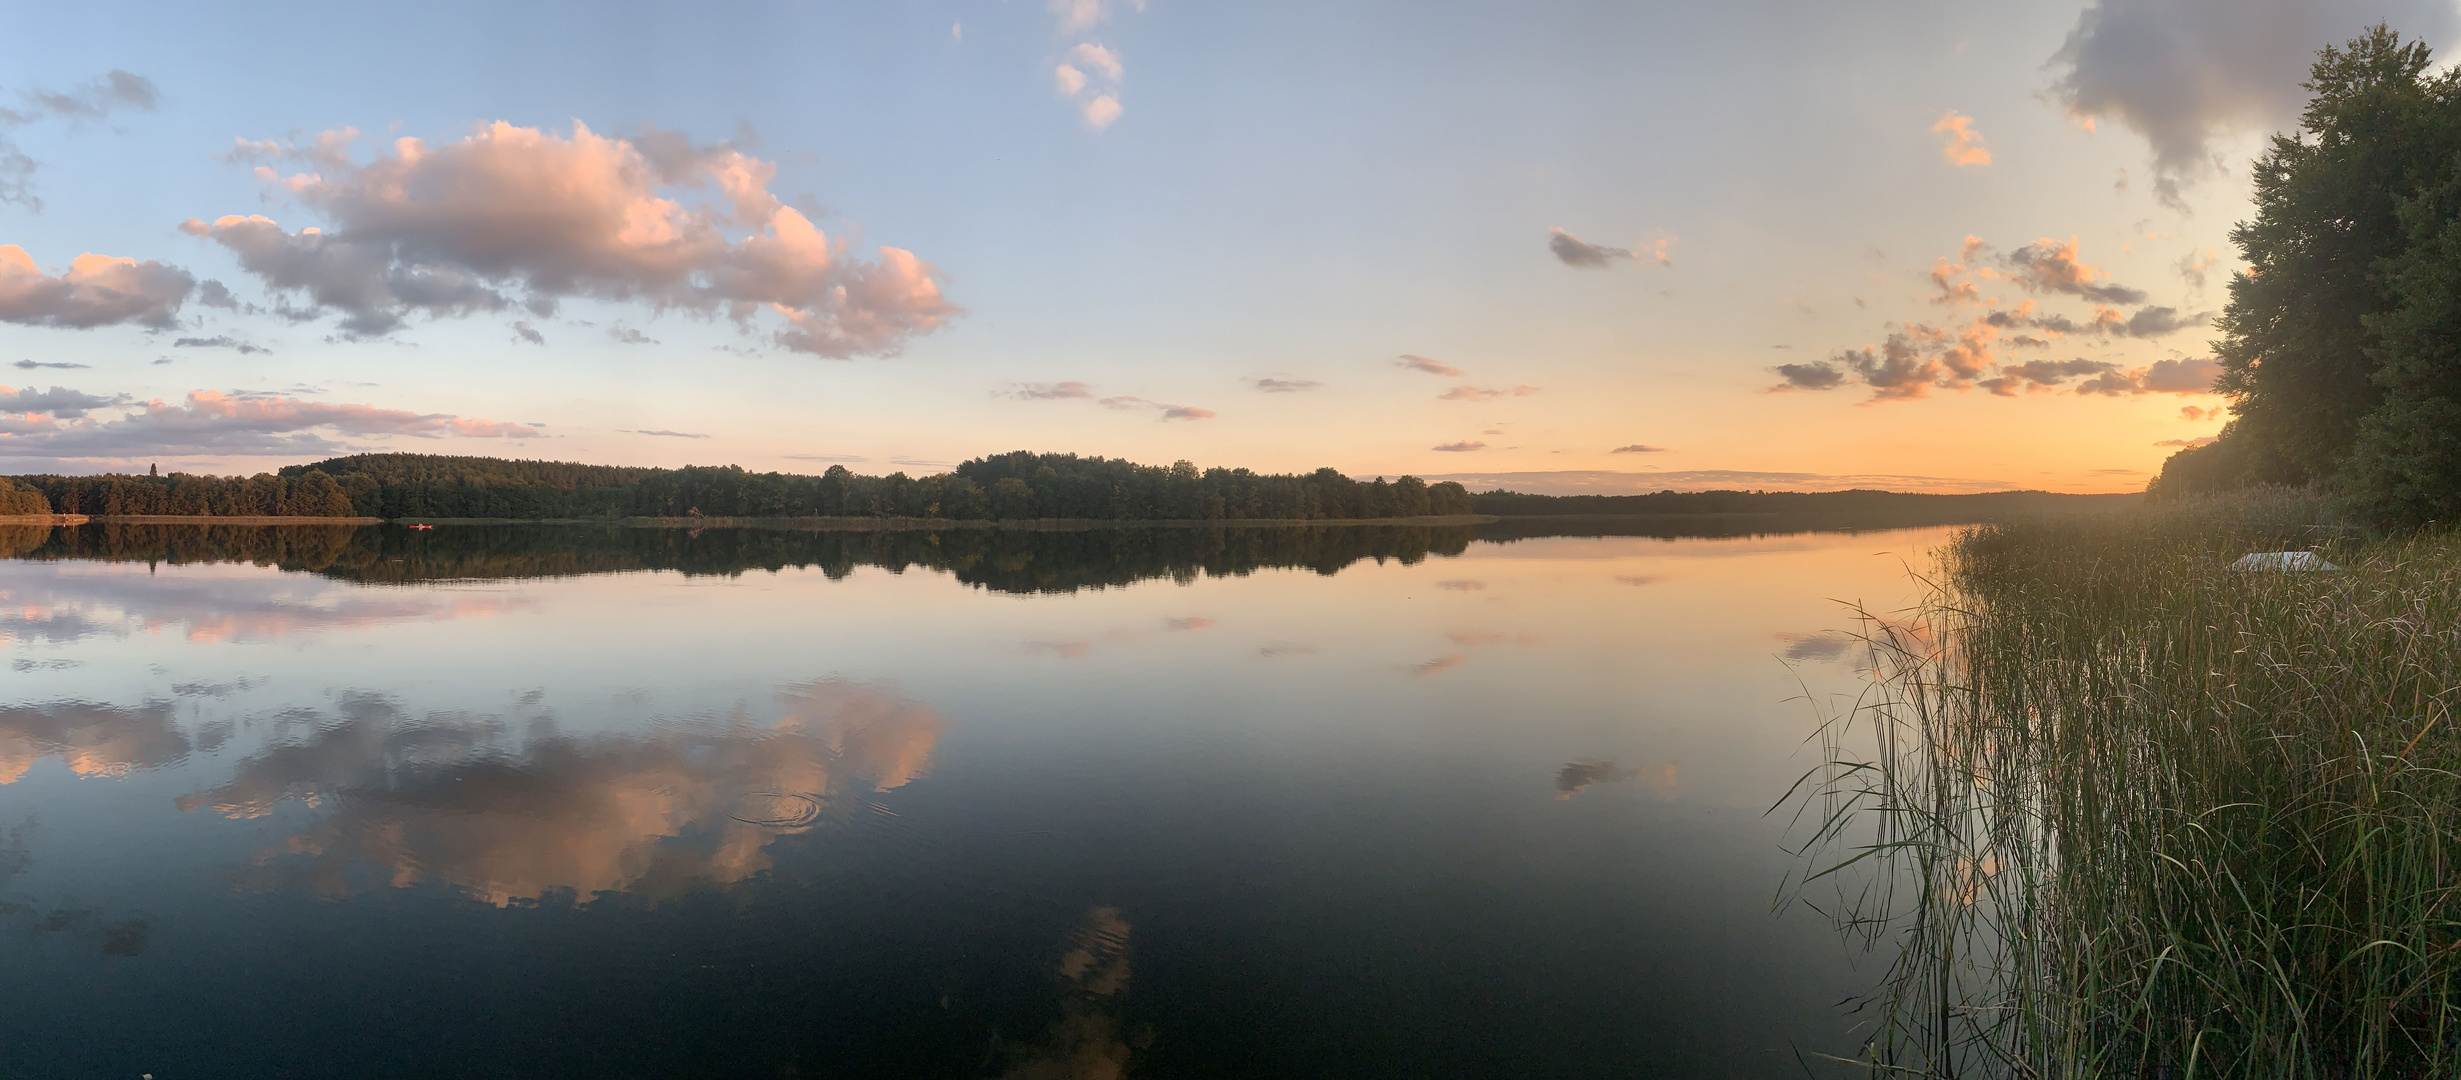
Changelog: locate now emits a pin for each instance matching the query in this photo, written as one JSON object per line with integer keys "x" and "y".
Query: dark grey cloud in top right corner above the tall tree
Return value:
{"x": 2187, "y": 73}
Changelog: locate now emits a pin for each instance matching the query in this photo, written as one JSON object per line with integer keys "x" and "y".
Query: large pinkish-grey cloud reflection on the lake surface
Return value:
{"x": 447, "y": 798}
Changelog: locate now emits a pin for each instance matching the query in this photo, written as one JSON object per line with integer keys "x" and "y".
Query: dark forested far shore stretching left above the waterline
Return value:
{"x": 1013, "y": 486}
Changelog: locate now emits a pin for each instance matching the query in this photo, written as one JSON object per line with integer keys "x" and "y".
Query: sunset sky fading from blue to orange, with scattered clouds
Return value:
{"x": 1559, "y": 247}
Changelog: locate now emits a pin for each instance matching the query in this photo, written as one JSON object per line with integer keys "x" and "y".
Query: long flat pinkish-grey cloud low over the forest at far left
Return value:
{"x": 230, "y": 424}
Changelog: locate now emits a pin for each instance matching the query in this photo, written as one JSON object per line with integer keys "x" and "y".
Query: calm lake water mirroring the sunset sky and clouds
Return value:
{"x": 599, "y": 803}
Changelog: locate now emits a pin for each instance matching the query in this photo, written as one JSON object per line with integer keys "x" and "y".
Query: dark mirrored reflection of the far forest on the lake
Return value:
{"x": 998, "y": 560}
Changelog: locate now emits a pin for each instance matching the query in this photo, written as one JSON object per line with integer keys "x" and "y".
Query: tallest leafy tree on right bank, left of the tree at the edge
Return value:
{"x": 2300, "y": 353}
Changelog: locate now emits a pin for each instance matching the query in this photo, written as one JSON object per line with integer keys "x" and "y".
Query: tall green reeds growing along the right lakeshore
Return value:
{"x": 2125, "y": 813}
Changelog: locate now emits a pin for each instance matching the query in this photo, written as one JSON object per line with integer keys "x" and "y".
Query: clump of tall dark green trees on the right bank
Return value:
{"x": 2342, "y": 343}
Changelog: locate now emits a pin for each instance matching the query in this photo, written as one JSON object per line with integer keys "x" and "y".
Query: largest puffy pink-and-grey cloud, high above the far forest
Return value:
{"x": 518, "y": 218}
